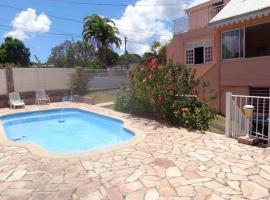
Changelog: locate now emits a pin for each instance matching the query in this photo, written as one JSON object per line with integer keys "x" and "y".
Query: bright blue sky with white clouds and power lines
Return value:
{"x": 43, "y": 24}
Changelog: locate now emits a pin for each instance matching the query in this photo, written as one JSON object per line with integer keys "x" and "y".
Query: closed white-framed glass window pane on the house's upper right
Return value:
{"x": 233, "y": 44}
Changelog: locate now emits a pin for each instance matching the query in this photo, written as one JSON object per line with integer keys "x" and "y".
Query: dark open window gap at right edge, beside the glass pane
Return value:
{"x": 257, "y": 40}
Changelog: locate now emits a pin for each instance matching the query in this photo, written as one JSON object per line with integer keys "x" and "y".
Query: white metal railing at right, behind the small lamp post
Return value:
{"x": 238, "y": 124}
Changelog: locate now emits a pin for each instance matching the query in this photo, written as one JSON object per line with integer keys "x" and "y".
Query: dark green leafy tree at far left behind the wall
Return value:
{"x": 14, "y": 51}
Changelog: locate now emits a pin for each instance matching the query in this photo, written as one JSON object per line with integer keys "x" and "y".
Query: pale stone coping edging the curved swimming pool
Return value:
{"x": 38, "y": 150}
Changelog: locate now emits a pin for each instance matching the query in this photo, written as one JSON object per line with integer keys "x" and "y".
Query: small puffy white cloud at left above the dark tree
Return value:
{"x": 27, "y": 23}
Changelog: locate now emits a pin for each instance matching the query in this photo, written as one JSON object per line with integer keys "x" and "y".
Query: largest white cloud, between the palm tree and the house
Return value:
{"x": 143, "y": 24}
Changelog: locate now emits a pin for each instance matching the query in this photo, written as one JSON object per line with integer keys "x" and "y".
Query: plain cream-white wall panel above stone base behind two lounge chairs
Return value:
{"x": 30, "y": 79}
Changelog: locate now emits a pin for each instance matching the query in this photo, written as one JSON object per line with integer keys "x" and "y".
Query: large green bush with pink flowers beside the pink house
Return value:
{"x": 167, "y": 93}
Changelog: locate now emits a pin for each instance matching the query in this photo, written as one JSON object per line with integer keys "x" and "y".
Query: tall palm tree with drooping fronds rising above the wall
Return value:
{"x": 102, "y": 34}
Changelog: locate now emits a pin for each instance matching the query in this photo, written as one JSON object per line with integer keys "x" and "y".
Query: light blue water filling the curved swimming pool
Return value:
{"x": 65, "y": 130}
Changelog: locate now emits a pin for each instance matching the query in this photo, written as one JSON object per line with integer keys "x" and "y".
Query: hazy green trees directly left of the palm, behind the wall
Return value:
{"x": 71, "y": 54}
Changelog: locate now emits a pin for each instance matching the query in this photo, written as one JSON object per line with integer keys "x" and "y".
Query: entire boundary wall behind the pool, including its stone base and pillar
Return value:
{"x": 54, "y": 80}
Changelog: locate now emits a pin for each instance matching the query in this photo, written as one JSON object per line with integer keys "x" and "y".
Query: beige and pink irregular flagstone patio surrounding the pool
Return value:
{"x": 169, "y": 163}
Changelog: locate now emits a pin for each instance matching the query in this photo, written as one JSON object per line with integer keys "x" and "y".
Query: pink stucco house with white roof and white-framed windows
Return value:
{"x": 228, "y": 43}
